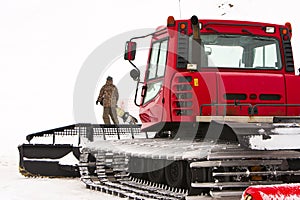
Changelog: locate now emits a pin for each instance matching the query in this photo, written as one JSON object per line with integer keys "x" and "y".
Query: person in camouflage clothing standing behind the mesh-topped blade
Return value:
{"x": 108, "y": 98}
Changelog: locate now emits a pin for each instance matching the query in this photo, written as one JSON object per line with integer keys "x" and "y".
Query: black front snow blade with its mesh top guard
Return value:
{"x": 56, "y": 152}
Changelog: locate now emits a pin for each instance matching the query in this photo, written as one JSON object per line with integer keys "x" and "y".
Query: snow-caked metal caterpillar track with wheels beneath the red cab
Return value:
{"x": 220, "y": 170}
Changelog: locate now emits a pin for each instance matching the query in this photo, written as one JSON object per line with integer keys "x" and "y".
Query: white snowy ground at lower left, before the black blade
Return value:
{"x": 13, "y": 186}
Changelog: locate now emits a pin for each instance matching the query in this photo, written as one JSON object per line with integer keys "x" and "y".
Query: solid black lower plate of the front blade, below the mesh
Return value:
{"x": 30, "y": 165}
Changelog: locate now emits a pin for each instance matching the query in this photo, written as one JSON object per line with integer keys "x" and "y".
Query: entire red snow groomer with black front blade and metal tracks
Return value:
{"x": 219, "y": 110}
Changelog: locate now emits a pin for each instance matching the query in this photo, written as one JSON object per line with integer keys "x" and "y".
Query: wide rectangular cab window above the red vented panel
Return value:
{"x": 240, "y": 51}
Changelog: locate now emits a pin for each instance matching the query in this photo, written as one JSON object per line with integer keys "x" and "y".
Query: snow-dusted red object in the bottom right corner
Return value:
{"x": 282, "y": 191}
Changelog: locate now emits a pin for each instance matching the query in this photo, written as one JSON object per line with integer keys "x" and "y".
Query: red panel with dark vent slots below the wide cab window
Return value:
{"x": 252, "y": 86}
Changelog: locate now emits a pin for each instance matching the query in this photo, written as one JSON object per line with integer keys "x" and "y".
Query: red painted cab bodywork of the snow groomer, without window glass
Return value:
{"x": 270, "y": 92}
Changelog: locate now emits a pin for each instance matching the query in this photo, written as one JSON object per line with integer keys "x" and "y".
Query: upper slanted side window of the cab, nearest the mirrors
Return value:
{"x": 158, "y": 60}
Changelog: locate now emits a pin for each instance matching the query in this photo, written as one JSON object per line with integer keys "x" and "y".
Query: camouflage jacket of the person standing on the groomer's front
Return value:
{"x": 109, "y": 94}
